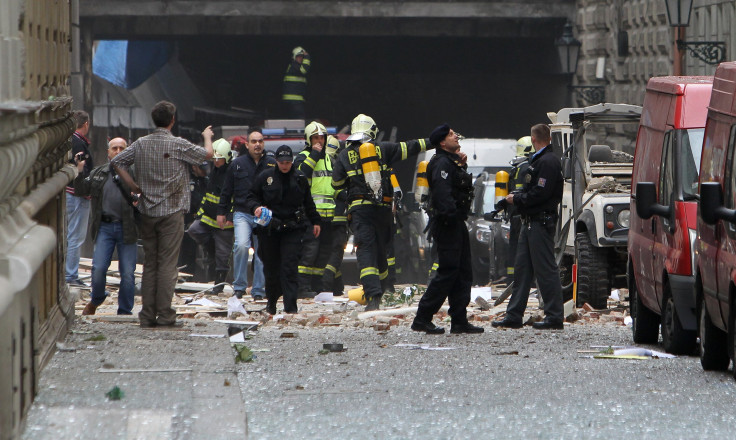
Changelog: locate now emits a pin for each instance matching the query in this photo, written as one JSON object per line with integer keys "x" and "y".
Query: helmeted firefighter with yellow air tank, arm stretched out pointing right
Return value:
{"x": 363, "y": 170}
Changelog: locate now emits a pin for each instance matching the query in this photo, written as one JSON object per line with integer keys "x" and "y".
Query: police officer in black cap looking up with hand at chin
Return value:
{"x": 451, "y": 193}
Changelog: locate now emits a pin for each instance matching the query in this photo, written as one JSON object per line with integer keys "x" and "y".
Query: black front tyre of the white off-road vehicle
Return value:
{"x": 594, "y": 285}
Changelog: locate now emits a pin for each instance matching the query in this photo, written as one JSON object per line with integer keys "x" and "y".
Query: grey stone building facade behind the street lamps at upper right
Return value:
{"x": 626, "y": 42}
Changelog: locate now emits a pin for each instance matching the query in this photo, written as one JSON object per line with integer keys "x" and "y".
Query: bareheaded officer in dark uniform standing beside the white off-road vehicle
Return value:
{"x": 537, "y": 204}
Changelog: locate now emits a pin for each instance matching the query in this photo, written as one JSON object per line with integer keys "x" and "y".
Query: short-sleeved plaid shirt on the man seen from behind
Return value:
{"x": 162, "y": 171}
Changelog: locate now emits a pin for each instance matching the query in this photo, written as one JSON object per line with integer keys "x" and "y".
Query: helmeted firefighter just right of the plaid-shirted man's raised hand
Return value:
{"x": 204, "y": 230}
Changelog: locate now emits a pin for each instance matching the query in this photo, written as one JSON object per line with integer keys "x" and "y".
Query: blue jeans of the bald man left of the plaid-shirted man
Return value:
{"x": 109, "y": 237}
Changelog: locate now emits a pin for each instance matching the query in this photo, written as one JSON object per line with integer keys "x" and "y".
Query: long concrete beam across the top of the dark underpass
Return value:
{"x": 488, "y": 18}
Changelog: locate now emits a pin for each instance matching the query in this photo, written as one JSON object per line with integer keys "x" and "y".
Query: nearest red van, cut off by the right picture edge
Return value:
{"x": 715, "y": 283}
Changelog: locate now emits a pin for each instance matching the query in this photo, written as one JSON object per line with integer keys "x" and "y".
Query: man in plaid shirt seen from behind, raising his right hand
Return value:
{"x": 162, "y": 164}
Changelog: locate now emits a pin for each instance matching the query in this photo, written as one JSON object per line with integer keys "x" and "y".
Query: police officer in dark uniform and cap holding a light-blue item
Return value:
{"x": 285, "y": 191}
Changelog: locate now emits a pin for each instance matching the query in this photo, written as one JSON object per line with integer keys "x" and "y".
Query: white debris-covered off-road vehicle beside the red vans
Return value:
{"x": 596, "y": 144}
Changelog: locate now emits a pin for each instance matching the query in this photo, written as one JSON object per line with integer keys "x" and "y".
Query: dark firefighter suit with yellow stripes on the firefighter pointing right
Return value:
{"x": 370, "y": 219}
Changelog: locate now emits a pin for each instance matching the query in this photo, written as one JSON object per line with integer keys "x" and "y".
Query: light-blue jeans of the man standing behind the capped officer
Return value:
{"x": 244, "y": 224}
